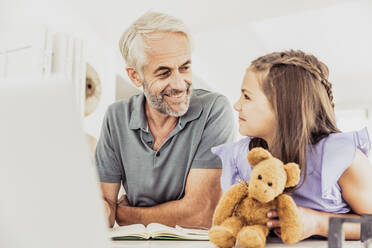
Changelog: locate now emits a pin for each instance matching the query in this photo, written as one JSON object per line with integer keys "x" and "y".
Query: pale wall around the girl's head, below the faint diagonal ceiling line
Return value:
{"x": 338, "y": 35}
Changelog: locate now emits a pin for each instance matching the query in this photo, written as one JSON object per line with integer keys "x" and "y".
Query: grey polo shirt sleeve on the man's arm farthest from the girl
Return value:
{"x": 108, "y": 166}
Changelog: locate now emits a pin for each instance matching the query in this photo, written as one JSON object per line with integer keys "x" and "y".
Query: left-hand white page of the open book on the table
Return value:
{"x": 135, "y": 230}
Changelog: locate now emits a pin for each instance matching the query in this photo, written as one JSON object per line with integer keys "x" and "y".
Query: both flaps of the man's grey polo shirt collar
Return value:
{"x": 138, "y": 117}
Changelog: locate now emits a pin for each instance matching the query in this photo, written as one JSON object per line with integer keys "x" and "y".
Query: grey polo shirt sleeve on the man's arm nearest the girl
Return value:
{"x": 219, "y": 129}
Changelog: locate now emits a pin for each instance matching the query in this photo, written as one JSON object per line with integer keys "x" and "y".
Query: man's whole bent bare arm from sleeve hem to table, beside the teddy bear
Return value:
{"x": 195, "y": 209}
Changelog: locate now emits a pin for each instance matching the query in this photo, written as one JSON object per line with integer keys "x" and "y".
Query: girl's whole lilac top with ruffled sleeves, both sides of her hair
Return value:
{"x": 326, "y": 162}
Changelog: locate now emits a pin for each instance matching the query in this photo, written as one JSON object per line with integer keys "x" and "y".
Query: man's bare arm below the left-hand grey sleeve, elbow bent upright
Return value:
{"x": 110, "y": 193}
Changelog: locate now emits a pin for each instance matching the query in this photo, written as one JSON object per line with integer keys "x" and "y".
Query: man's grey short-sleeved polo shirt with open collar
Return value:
{"x": 124, "y": 151}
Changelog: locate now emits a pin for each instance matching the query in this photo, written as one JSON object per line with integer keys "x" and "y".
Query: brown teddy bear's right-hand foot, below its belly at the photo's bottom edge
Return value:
{"x": 251, "y": 238}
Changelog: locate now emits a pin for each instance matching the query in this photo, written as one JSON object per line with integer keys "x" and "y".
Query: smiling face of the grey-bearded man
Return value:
{"x": 167, "y": 73}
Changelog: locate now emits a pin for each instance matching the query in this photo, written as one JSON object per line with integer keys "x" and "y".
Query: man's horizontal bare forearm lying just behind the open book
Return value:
{"x": 179, "y": 212}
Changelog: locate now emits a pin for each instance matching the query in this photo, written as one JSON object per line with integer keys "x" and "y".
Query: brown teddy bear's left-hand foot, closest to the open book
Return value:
{"x": 222, "y": 236}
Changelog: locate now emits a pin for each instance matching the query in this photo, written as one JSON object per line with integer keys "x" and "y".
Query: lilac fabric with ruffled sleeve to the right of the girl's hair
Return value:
{"x": 327, "y": 161}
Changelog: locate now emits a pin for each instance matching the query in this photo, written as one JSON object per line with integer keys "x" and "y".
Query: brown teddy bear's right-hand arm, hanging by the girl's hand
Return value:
{"x": 290, "y": 222}
